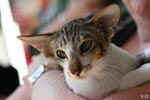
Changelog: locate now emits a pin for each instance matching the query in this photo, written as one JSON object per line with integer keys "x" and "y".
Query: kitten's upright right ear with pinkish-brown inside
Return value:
{"x": 108, "y": 18}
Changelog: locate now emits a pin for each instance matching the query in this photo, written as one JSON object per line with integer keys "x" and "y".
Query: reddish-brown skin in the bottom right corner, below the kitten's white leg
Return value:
{"x": 138, "y": 93}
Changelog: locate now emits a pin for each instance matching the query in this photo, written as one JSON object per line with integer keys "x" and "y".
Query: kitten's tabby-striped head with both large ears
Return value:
{"x": 79, "y": 43}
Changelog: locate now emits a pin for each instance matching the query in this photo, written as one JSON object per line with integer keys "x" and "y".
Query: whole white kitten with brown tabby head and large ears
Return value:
{"x": 92, "y": 65}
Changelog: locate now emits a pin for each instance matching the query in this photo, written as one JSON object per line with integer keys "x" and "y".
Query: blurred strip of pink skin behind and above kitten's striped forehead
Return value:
{"x": 76, "y": 9}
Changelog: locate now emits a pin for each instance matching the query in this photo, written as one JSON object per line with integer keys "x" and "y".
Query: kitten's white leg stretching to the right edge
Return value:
{"x": 136, "y": 77}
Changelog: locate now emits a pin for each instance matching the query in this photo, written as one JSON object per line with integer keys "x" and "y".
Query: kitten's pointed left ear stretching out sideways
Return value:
{"x": 42, "y": 42}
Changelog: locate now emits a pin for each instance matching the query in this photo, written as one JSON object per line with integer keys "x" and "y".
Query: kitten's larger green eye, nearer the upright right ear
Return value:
{"x": 86, "y": 46}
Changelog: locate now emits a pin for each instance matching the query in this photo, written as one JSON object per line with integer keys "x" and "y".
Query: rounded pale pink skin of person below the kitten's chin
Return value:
{"x": 51, "y": 86}
